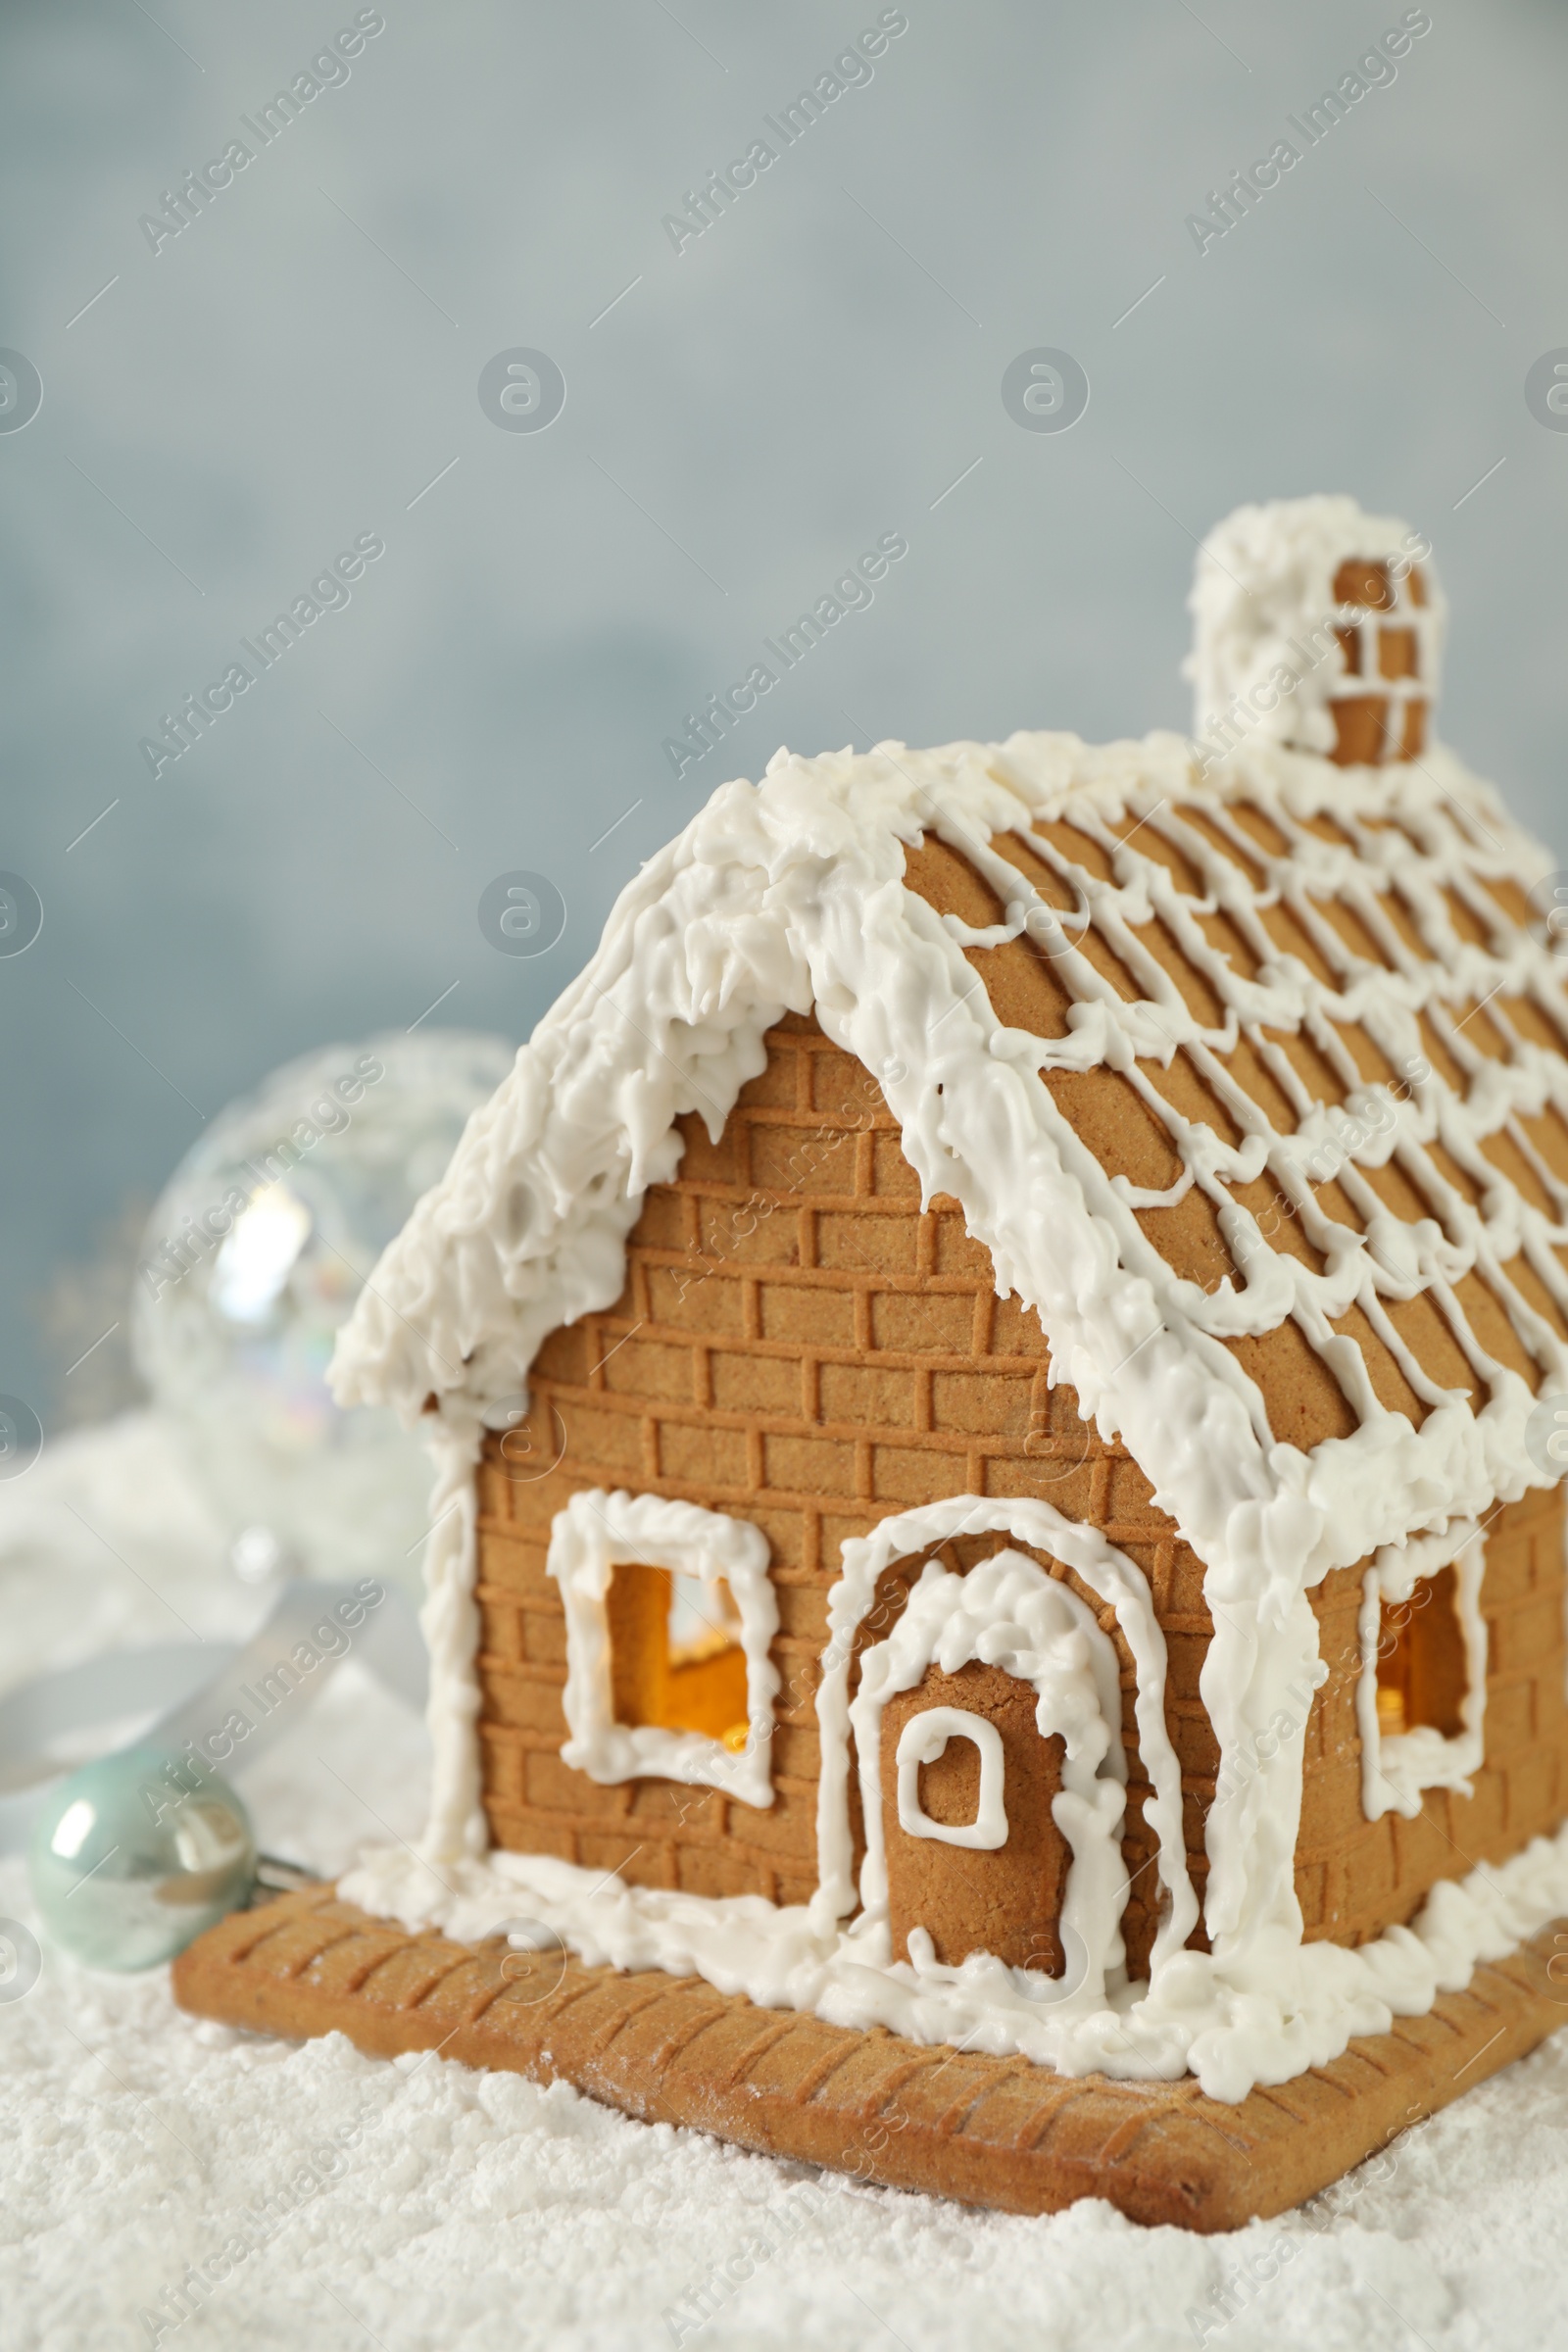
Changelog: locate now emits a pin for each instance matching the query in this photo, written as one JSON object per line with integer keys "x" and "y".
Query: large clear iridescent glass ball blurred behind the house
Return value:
{"x": 253, "y": 1262}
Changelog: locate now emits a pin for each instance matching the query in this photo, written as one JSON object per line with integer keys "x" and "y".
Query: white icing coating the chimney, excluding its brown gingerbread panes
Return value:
{"x": 1264, "y": 606}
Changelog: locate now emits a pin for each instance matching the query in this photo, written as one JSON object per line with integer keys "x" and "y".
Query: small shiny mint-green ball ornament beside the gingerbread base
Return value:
{"x": 133, "y": 1857}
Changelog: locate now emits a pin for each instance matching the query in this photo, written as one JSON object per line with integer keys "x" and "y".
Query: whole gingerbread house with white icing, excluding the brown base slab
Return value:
{"x": 993, "y": 1379}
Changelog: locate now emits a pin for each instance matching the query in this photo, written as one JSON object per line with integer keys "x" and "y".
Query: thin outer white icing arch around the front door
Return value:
{"x": 1111, "y": 1575}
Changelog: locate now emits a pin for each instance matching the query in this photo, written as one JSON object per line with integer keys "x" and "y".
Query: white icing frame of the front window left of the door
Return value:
{"x": 589, "y": 1539}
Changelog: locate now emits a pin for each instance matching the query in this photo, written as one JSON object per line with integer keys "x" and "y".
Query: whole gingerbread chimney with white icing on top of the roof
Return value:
{"x": 1315, "y": 627}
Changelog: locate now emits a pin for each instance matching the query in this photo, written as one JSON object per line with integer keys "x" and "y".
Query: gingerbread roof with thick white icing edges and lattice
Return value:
{"x": 1245, "y": 1067}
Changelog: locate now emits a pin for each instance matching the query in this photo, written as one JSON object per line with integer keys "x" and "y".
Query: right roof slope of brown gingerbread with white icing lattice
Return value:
{"x": 1343, "y": 1118}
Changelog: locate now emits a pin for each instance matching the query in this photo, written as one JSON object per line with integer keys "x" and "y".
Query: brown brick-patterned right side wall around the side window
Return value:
{"x": 1358, "y": 1876}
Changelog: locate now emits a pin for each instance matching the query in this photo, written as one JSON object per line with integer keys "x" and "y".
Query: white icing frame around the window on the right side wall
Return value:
{"x": 1398, "y": 1770}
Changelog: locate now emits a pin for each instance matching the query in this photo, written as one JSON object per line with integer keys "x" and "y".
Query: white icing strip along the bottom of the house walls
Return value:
{"x": 1287, "y": 2010}
